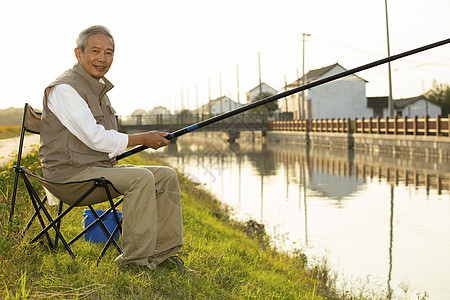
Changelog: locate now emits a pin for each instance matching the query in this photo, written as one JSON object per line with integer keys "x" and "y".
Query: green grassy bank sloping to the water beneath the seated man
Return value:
{"x": 233, "y": 260}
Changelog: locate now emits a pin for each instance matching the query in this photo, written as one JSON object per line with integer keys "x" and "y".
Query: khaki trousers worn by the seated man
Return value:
{"x": 152, "y": 217}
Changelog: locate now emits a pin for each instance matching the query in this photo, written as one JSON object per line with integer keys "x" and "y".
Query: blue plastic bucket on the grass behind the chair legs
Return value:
{"x": 96, "y": 233}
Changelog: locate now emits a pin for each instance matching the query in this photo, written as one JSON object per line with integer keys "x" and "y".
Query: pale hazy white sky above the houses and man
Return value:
{"x": 165, "y": 49}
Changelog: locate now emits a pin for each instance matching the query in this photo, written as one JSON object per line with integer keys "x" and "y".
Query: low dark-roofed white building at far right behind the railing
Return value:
{"x": 415, "y": 106}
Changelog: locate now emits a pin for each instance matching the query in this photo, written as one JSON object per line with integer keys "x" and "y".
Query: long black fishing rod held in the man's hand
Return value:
{"x": 278, "y": 96}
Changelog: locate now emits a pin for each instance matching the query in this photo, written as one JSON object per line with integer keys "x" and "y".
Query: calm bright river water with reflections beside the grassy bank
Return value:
{"x": 379, "y": 223}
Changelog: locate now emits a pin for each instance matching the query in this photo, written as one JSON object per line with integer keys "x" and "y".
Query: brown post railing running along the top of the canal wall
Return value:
{"x": 397, "y": 126}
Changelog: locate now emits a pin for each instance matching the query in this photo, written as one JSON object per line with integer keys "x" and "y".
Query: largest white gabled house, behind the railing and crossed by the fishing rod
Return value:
{"x": 341, "y": 98}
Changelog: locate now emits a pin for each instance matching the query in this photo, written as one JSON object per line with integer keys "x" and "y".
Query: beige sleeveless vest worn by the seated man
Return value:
{"x": 62, "y": 154}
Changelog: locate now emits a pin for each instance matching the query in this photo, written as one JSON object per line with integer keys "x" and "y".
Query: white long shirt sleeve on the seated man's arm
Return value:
{"x": 74, "y": 113}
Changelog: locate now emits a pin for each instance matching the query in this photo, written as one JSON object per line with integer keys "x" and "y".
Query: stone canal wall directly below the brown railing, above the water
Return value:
{"x": 410, "y": 146}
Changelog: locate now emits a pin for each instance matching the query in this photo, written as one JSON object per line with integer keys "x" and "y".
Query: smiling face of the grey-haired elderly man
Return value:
{"x": 97, "y": 56}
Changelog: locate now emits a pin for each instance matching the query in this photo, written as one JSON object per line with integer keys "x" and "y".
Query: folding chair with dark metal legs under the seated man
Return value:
{"x": 75, "y": 194}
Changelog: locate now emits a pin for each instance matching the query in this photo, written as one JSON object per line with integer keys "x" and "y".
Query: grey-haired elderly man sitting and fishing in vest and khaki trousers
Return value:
{"x": 79, "y": 140}
